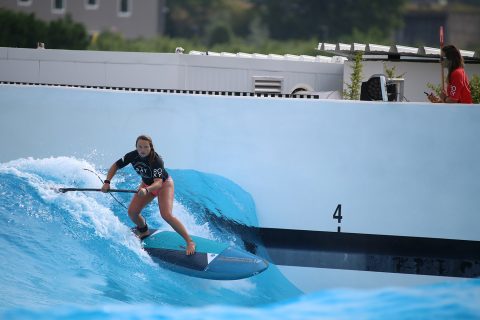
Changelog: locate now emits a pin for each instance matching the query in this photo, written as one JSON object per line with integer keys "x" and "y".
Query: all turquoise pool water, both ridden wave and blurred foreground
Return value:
{"x": 72, "y": 256}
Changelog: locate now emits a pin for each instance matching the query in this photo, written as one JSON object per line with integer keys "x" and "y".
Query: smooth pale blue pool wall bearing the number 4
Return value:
{"x": 405, "y": 169}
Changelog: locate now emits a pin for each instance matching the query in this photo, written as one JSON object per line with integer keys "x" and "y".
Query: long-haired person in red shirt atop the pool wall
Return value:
{"x": 458, "y": 89}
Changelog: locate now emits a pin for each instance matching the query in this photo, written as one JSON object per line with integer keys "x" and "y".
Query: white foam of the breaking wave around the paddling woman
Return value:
{"x": 91, "y": 210}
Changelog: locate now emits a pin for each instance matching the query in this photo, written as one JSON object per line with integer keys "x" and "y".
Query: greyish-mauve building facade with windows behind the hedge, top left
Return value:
{"x": 133, "y": 19}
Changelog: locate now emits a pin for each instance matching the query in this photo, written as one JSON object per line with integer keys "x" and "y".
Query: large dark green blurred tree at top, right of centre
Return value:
{"x": 330, "y": 20}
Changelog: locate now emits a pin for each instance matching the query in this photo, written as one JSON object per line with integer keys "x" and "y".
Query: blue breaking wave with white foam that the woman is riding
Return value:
{"x": 76, "y": 248}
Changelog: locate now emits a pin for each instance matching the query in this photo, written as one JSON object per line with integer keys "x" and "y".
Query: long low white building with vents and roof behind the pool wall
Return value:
{"x": 226, "y": 73}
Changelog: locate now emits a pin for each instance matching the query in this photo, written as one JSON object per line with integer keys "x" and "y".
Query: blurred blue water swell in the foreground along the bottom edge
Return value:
{"x": 457, "y": 300}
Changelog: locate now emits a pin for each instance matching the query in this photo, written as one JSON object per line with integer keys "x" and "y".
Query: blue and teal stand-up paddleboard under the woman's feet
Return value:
{"x": 212, "y": 260}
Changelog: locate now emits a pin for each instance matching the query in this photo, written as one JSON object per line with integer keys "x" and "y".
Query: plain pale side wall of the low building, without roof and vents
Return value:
{"x": 162, "y": 70}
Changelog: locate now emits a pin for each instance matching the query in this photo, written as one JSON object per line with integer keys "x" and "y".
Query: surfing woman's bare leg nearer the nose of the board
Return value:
{"x": 165, "y": 203}
